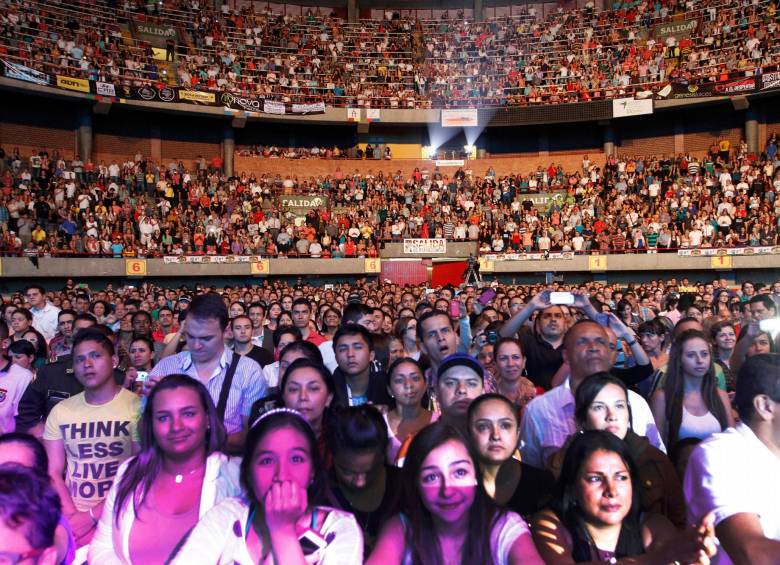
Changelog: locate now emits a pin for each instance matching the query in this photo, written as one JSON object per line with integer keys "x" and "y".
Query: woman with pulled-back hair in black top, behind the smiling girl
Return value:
{"x": 495, "y": 433}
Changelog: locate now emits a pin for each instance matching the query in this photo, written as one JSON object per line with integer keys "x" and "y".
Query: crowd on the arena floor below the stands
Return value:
{"x": 379, "y": 423}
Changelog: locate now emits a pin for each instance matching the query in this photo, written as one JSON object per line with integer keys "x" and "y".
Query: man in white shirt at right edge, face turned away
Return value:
{"x": 733, "y": 474}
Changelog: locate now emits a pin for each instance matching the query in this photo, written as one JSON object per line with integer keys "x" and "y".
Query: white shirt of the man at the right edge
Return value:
{"x": 733, "y": 472}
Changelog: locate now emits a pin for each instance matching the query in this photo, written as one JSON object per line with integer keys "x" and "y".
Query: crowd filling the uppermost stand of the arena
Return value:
{"x": 567, "y": 56}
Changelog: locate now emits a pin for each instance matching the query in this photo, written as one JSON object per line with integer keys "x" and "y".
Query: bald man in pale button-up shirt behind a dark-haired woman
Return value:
{"x": 548, "y": 420}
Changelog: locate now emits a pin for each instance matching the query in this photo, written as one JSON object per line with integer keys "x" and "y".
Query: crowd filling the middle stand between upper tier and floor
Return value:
{"x": 53, "y": 206}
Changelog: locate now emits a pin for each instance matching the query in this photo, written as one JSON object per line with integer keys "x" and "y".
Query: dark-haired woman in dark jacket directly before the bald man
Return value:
{"x": 601, "y": 403}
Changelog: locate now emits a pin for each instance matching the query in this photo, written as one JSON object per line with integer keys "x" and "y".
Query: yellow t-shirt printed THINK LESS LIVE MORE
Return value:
{"x": 97, "y": 440}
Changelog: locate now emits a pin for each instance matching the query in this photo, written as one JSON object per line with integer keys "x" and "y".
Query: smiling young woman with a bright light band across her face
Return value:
{"x": 448, "y": 516}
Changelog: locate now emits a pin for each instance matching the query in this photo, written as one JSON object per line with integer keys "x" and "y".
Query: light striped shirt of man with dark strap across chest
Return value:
{"x": 248, "y": 384}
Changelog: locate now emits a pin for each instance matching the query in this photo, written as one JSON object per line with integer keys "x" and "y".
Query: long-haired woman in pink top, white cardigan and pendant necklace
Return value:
{"x": 176, "y": 478}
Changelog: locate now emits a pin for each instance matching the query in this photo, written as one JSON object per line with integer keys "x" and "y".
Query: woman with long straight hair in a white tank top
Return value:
{"x": 690, "y": 403}
